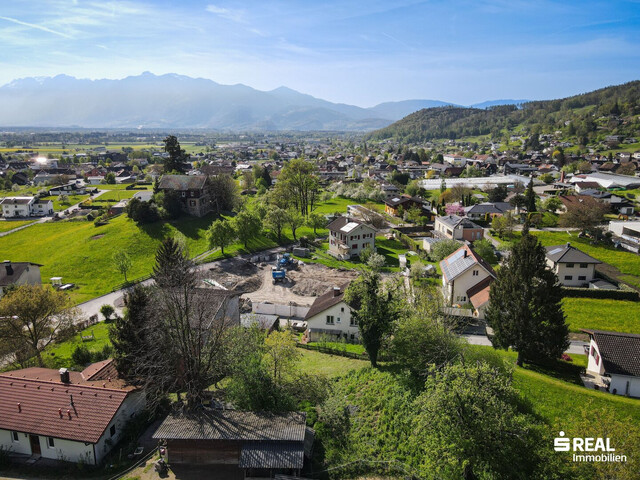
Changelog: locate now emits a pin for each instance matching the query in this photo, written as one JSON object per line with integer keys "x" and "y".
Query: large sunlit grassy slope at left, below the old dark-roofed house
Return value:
{"x": 83, "y": 254}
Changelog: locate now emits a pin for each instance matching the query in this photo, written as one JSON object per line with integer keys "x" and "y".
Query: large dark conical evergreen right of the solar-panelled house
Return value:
{"x": 525, "y": 309}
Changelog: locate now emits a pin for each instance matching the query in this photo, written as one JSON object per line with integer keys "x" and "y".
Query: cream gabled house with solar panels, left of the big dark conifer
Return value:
{"x": 466, "y": 278}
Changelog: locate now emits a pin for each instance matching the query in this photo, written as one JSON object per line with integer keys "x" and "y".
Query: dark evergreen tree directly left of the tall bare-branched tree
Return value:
{"x": 127, "y": 333}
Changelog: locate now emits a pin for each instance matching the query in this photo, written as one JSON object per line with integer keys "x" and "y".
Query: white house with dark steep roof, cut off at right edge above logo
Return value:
{"x": 615, "y": 358}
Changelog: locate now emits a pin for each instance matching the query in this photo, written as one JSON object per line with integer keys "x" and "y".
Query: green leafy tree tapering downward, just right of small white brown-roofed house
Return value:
{"x": 374, "y": 309}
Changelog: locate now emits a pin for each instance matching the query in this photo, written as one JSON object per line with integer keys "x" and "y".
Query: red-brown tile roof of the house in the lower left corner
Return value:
{"x": 34, "y": 401}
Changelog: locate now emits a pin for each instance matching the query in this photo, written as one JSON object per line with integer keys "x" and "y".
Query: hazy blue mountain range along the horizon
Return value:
{"x": 177, "y": 101}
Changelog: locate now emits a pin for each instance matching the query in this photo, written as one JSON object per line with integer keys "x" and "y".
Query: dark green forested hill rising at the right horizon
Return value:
{"x": 609, "y": 111}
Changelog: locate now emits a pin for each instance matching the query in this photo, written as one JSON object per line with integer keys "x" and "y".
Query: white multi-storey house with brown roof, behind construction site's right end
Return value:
{"x": 349, "y": 236}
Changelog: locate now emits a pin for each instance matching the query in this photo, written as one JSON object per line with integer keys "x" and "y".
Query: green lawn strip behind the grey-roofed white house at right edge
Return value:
{"x": 628, "y": 263}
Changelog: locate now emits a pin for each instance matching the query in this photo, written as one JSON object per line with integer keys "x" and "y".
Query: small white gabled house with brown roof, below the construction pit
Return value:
{"x": 330, "y": 317}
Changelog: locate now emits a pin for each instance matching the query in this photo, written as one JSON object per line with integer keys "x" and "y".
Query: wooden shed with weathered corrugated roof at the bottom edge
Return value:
{"x": 237, "y": 444}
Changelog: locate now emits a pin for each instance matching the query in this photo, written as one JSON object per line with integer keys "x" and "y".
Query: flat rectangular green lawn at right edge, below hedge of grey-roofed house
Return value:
{"x": 602, "y": 314}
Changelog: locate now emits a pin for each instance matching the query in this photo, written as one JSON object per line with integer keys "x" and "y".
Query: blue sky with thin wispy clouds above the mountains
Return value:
{"x": 361, "y": 52}
